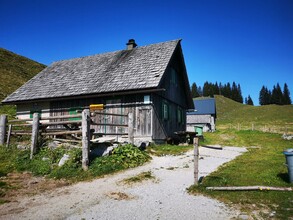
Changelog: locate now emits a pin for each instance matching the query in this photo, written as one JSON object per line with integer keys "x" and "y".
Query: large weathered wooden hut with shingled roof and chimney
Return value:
{"x": 149, "y": 81}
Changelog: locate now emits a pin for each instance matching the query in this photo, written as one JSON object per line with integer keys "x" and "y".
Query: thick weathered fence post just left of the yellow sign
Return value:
{"x": 85, "y": 125}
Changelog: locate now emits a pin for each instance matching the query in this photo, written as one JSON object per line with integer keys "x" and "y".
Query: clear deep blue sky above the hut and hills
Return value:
{"x": 246, "y": 41}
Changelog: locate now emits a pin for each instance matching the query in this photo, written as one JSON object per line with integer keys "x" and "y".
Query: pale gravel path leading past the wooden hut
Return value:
{"x": 109, "y": 198}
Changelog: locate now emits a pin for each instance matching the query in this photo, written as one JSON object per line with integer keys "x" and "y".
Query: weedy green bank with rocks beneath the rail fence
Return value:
{"x": 45, "y": 163}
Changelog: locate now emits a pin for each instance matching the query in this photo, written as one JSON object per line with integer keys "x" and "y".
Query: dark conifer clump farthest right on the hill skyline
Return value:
{"x": 276, "y": 96}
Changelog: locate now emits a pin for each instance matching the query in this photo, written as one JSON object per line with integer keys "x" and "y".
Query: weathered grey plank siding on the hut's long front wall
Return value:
{"x": 143, "y": 114}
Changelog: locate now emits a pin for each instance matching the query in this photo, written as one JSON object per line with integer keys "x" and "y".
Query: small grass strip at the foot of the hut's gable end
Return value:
{"x": 167, "y": 149}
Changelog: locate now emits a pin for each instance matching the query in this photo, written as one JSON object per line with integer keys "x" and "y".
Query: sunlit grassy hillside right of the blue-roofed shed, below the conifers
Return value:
{"x": 233, "y": 113}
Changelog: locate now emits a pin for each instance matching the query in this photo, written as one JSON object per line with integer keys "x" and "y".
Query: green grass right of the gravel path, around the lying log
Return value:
{"x": 263, "y": 165}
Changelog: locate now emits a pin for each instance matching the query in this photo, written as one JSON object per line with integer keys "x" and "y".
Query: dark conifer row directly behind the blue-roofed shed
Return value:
{"x": 210, "y": 89}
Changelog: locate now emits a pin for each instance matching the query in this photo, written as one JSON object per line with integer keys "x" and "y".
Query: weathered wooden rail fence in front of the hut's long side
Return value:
{"x": 48, "y": 126}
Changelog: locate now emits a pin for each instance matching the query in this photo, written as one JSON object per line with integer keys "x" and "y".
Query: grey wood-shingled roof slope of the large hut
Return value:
{"x": 124, "y": 70}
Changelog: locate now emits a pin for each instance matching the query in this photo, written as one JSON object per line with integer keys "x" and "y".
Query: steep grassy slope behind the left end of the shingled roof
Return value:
{"x": 15, "y": 70}
